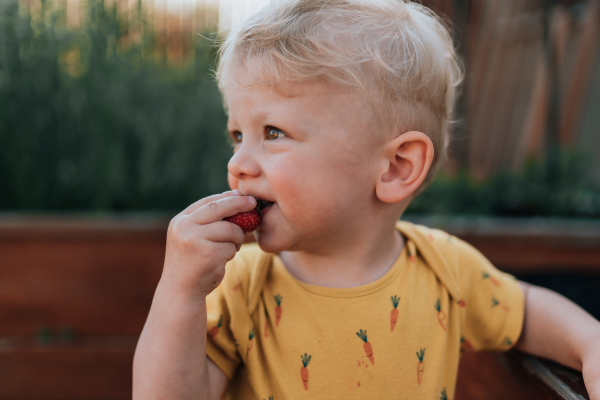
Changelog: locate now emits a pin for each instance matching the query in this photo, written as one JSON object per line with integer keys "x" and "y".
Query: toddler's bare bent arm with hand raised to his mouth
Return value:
{"x": 170, "y": 359}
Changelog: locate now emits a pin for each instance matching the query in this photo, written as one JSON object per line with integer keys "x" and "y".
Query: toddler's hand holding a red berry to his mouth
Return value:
{"x": 199, "y": 243}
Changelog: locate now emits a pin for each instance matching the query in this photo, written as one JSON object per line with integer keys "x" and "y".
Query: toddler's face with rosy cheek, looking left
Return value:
{"x": 313, "y": 152}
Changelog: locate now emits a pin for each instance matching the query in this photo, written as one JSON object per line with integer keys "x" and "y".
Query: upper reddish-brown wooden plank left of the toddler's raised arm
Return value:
{"x": 78, "y": 283}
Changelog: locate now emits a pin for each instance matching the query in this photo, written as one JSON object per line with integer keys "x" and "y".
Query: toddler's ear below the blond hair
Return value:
{"x": 407, "y": 159}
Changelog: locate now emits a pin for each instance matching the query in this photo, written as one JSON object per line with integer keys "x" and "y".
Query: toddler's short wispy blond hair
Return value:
{"x": 400, "y": 53}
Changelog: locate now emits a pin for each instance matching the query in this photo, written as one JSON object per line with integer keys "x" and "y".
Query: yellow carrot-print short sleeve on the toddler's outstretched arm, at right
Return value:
{"x": 491, "y": 304}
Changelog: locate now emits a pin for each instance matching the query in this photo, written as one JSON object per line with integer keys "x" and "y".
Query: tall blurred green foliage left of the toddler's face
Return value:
{"x": 86, "y": 124}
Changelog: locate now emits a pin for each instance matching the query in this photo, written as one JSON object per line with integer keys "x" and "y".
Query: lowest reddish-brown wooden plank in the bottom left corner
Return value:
{"x": 92, "y": 369}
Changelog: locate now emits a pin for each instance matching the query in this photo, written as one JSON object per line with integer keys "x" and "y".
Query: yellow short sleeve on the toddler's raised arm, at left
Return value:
{"x": 227, "y": 318}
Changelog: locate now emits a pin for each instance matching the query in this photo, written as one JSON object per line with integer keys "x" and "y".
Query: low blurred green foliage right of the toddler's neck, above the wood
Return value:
{"x": 559, "y": 185}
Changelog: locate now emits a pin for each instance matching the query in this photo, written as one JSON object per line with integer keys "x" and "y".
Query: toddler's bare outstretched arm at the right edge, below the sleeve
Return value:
{"x": 558, "y": 329}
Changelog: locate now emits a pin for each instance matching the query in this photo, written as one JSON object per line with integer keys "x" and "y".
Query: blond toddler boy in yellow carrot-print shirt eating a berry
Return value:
{"x": 339, "y": 113}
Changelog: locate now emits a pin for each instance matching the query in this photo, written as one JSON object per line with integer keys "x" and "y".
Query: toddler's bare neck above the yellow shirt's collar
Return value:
{"x": 353, "y": 263}
